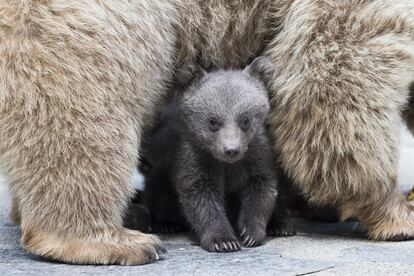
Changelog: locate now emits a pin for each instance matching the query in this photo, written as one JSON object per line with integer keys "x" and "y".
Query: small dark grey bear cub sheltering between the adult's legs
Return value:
{"x": 208, "y": 163}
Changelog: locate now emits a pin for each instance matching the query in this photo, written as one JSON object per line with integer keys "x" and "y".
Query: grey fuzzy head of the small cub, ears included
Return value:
{"x": 224, "y": 110}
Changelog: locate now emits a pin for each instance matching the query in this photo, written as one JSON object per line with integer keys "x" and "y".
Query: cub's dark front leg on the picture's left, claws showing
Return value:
{"x": 202, "y": 201}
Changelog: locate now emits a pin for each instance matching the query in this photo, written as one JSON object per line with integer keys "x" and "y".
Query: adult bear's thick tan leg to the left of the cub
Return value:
{"x": 78, "y": 79}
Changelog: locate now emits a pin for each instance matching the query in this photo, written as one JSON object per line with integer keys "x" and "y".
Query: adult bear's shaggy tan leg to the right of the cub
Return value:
{"x": 343, "y": 78}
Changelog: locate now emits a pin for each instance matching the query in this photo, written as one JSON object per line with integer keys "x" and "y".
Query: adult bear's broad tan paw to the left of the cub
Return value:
{"x": 122, "y": 246}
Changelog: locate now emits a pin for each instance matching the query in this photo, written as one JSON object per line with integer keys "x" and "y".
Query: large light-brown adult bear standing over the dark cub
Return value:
{"x": 79, "y": 80}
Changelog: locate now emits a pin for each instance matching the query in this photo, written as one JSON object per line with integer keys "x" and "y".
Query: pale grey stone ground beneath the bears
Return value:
{"x": 318, "y": 249}
